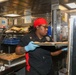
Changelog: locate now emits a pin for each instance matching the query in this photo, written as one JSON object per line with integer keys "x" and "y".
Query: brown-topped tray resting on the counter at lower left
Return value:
{"x": 11, "y": 58}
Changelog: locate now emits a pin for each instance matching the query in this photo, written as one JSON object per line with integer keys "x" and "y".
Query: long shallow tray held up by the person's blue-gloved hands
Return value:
{"x": 51, "y": 43}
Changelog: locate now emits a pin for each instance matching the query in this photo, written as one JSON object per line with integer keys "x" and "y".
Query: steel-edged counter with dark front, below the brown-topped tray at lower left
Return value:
{"x": 10, "y": 69}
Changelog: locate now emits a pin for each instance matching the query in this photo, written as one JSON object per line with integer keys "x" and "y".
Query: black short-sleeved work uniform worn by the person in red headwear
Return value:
{"x": 40, "y": 59}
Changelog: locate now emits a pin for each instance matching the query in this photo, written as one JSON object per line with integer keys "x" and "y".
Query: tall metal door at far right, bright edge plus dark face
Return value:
{"x": 71, "y": 51}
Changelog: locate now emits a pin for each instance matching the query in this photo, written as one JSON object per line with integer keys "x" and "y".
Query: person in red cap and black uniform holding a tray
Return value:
{"x": 38, "y": 58}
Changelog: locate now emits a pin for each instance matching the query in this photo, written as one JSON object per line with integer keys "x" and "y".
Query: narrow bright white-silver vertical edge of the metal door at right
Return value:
{"x": 70, "y": 45}
